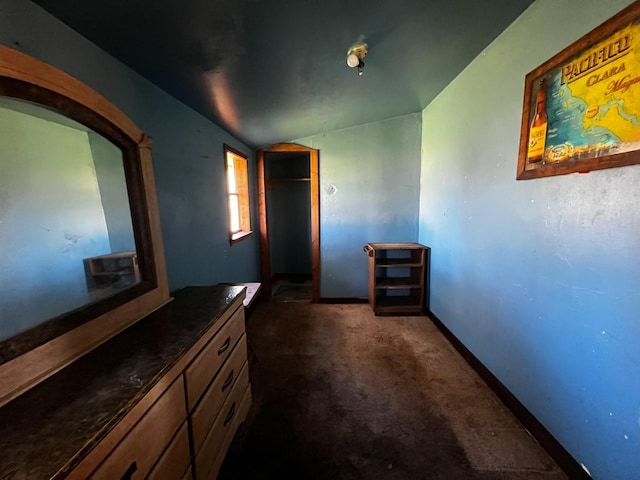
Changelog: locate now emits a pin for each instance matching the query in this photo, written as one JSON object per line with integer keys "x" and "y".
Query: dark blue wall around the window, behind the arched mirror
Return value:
{"x": 188, "y": 153}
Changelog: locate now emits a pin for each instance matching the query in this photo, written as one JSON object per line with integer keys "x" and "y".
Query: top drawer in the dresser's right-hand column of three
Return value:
{"x": 204, "y": 367}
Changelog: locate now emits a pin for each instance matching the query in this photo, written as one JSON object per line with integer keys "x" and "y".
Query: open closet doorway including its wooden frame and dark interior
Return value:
{"x": 288, "y": 200}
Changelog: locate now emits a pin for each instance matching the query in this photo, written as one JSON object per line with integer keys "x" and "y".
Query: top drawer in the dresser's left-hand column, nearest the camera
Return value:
{"x": 139, "y": 449}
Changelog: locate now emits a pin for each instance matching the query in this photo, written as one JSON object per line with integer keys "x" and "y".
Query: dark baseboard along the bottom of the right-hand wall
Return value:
{"x": 562, "y": 457}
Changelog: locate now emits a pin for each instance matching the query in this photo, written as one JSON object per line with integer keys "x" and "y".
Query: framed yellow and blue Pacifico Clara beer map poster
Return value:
{"x": 581, "y": 108}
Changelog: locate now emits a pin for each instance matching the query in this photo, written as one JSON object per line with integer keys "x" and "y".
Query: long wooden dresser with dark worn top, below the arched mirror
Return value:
{"x": 161, "y": 400}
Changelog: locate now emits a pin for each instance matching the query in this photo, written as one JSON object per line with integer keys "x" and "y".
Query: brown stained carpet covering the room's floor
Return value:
{"x": 339, "y": 393}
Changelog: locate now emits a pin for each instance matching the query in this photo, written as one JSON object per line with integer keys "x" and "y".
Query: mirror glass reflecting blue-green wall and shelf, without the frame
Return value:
{"x": 66, "y": 234}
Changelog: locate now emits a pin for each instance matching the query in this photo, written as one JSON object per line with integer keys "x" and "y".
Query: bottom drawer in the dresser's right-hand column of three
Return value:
{"x": 233, "y": 412}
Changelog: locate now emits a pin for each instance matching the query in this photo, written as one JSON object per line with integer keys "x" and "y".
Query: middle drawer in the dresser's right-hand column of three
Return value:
{"x": 214, "y": 397}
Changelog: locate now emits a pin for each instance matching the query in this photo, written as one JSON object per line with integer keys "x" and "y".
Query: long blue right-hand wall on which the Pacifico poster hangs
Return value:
{"x": 540, "y": 279}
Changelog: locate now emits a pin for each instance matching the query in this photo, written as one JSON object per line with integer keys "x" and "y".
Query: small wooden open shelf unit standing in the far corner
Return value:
{"x": 398, "y": 277}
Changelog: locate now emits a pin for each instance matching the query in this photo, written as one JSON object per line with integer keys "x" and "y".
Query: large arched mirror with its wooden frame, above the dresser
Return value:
{"x": 81, "y": 255}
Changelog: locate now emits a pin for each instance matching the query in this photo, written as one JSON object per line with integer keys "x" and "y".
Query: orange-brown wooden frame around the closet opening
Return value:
{"x": 265, "y": 254}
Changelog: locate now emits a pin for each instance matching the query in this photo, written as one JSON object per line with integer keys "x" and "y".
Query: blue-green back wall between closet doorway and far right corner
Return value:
{"x": 369, "y": 192}
